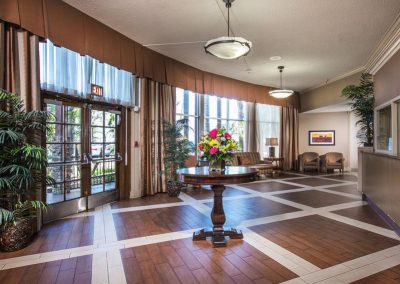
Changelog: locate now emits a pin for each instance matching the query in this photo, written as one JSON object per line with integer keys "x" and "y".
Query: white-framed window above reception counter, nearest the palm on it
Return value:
{"x": 384, "y": 123}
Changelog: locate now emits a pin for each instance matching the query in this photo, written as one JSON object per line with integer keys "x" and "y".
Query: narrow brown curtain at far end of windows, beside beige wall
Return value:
{"x": 289, "y": 146}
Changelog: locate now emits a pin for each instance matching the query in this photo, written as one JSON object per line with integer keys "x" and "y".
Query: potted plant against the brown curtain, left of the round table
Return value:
{"x": 176, "y": 151}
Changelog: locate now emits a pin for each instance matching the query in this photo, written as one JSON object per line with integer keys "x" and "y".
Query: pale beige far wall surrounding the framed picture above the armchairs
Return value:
{"x": 338, "y": 121}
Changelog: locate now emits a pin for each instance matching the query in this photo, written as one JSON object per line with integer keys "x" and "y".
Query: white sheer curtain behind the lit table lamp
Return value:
{"x": 268, "y": 126}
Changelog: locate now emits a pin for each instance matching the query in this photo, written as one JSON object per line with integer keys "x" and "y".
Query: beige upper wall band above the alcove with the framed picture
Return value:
{"x": 327, "y": 95}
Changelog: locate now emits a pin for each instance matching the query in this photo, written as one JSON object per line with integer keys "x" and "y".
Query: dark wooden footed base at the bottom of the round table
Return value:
{"x": 218, "y": 236}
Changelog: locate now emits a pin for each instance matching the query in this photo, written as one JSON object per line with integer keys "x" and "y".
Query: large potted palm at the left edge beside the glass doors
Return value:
{"x": 22, "y": 166}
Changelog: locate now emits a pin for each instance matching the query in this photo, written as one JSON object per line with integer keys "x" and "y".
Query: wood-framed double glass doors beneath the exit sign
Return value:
{"x": 82, "y": 152}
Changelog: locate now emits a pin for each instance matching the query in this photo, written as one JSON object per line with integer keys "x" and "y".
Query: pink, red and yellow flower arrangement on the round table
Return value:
{"x": 217, "y": 145}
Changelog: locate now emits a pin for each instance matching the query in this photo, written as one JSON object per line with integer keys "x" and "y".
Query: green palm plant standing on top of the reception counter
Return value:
{"x": 362, "y": 104}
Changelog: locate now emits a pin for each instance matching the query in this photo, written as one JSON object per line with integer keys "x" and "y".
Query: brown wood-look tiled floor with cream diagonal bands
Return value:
{"x": 297, "y": 227}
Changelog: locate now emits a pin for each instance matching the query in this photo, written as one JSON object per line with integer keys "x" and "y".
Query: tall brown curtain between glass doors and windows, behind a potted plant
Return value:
{"x": 157, "y": 106}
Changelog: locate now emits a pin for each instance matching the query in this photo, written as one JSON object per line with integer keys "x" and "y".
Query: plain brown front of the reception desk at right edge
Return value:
{"x": 380, "y": 182}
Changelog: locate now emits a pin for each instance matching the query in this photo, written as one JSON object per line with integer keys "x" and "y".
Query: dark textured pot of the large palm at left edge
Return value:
{"x": 16, "y": 236}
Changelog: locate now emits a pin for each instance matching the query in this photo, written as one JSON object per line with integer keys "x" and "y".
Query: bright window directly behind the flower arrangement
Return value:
{"x": 230, "y": 114}
